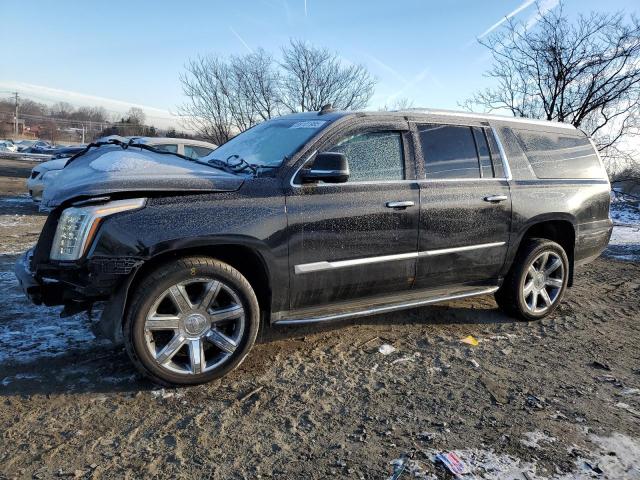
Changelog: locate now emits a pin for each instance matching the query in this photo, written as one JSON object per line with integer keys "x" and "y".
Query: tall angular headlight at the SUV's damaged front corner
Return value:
{"x": 78, "y": 225}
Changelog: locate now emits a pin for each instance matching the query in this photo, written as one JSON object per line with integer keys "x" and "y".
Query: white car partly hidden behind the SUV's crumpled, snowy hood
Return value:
{"x": 42, "y": 174}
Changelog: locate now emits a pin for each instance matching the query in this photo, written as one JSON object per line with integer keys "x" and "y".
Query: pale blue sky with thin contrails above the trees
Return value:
{"x": 120, "y": 54}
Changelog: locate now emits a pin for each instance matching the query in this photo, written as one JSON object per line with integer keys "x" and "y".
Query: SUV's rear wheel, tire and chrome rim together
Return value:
{"x": 521, "y": 294}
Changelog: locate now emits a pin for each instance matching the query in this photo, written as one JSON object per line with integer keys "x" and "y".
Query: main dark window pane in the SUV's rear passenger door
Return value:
{"x": 449, "y": 151}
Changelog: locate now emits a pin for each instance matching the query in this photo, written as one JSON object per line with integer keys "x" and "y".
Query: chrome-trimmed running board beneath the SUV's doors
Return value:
{"x": 383, "y": 308}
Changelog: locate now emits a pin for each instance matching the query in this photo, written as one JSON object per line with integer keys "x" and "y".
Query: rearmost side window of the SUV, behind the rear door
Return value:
{"x": 559, "y": 155}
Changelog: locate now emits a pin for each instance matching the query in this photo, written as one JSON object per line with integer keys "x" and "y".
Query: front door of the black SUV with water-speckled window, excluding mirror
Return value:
{"x": 348, "y": 241}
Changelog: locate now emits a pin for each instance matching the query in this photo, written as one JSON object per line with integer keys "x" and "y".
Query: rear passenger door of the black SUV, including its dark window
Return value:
{"x": 465, "y": 206}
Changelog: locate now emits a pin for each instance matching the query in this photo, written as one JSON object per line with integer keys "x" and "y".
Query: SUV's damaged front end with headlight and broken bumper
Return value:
{"x": 60, "y": 271}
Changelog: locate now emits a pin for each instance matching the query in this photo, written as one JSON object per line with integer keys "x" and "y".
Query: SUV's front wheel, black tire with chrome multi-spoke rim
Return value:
{"x": 191, "y": 321}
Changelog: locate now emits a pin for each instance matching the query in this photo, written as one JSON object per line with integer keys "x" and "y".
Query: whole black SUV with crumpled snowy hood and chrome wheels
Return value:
{"x": 316, "y": 217}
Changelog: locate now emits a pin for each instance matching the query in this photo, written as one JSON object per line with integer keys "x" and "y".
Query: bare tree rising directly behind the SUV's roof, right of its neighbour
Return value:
{"x": 313, "y": 77}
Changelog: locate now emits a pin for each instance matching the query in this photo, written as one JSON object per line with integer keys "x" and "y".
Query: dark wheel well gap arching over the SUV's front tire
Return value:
{"x": 246, "y": 260}
